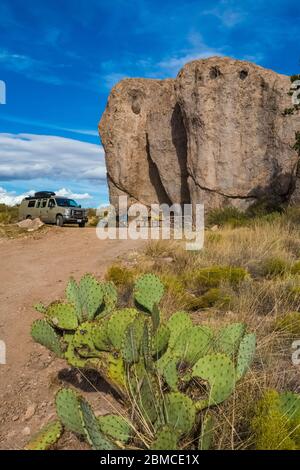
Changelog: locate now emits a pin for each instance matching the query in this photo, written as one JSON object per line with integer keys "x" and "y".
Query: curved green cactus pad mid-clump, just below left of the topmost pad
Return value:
{"x": 117, "y": 325}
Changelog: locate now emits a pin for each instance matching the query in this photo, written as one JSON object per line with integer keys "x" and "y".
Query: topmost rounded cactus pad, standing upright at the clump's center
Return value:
{"x": 148, "y": 291}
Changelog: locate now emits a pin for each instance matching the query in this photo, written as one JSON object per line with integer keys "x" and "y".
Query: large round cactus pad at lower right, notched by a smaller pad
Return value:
{"x": 219, "y": 371}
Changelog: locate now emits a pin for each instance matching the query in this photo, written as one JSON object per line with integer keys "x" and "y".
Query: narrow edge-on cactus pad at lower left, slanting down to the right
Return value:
{"x": 92, "y": 430}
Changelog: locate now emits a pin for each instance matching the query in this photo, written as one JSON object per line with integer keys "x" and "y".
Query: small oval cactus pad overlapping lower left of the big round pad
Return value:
{"x": 180, "y": 412}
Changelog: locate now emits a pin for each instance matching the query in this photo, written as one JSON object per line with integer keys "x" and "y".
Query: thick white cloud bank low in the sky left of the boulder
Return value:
{"x": 32, "y": 156}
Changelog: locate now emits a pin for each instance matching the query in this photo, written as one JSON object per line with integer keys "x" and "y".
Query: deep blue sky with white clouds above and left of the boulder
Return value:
{"x": 60, "y": 58}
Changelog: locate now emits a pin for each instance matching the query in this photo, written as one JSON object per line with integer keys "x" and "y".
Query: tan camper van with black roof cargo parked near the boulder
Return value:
{"x": 52, "y": 209}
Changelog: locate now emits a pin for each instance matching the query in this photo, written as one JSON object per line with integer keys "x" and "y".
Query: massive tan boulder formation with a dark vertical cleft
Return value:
{"x": 215, "y": 135}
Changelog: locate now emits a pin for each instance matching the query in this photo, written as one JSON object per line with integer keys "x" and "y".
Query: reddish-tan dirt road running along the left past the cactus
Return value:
{"x": 33, "y": 270}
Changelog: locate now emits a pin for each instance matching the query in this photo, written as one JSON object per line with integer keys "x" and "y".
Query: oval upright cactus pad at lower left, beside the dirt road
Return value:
{"x": 68, "y": 410}
